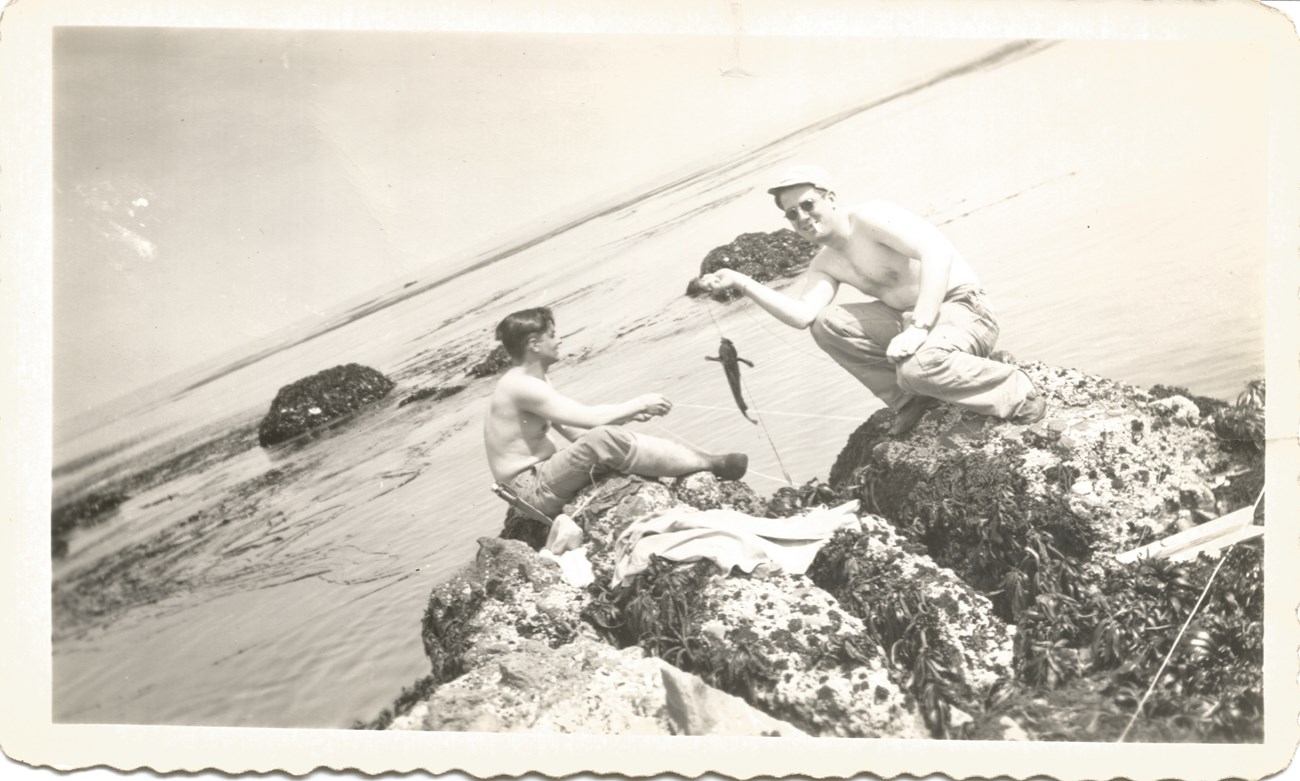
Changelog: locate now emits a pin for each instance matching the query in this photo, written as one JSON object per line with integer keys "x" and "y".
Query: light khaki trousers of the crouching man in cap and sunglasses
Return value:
{"x": 951, "y": 366}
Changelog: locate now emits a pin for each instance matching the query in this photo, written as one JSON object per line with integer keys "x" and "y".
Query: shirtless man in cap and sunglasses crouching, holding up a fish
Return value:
{"x": 929, "y": 333}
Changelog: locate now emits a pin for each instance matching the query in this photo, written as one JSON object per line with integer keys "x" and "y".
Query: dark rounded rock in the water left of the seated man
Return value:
{"x": 319, "y": 400}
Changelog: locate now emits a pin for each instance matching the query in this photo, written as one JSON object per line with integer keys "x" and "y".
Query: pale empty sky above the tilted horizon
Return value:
{"x": 214, "y": 188}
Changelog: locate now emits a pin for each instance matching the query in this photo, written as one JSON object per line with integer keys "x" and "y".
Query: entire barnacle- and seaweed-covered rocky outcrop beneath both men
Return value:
{"x": 977, "y": 583}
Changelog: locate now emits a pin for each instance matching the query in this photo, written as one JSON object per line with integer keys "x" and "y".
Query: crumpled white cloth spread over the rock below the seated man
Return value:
{"x": 730, "y": 539}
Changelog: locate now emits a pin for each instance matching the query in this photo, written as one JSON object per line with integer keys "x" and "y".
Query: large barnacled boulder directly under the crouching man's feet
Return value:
{"x": 1111, "y": 466}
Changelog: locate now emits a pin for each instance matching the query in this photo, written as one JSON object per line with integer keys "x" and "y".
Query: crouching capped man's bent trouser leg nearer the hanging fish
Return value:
{"x": 856, "y": 337}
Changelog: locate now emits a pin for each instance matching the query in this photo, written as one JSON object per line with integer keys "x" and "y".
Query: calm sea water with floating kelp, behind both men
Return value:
{"x": 1116, "y": 222}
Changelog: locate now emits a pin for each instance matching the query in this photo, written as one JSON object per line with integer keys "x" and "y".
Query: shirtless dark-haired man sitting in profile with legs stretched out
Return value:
{"x": 525, "y": 409}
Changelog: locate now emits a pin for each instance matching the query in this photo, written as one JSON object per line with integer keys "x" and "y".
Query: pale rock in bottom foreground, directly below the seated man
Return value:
{"x": 506, "y": 637}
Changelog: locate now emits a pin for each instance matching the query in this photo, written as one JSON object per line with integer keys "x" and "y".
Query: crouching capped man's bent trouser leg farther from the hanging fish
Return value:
{"x": 952, "y": 365}
